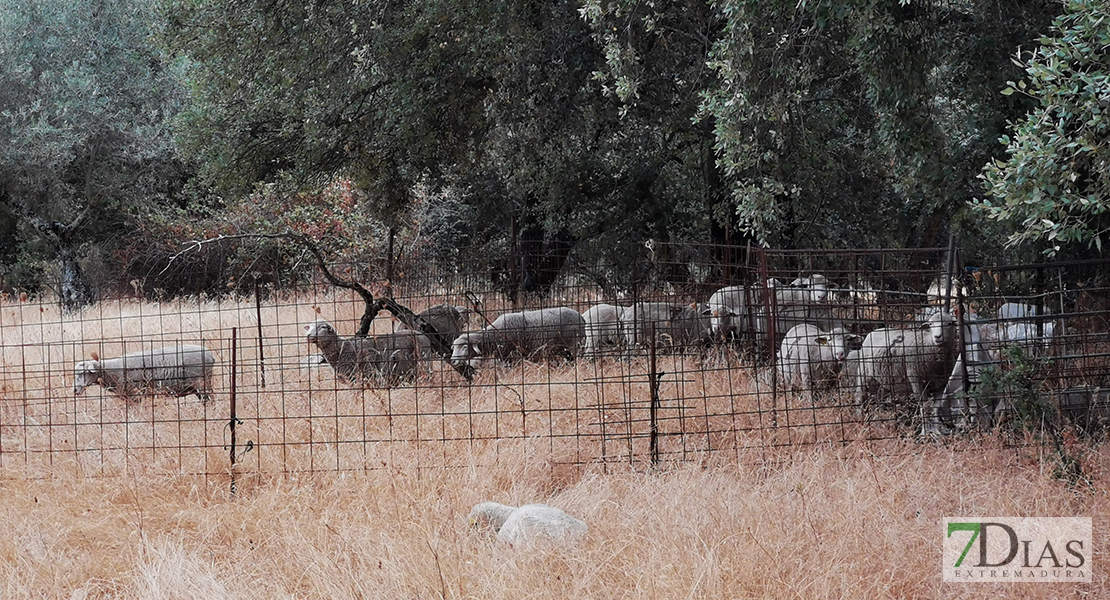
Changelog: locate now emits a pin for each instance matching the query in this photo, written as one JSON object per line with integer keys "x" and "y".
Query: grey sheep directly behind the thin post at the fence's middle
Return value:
{"x": 678, "y": 327}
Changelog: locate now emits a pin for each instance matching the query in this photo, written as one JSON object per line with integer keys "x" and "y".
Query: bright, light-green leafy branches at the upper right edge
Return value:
{"x": 1053, "y": 186}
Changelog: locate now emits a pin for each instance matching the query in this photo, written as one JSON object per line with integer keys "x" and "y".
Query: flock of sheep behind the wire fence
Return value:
{"x": 815, "y": 351}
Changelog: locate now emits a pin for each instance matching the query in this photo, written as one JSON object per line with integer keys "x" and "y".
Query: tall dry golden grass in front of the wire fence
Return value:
{"x": 815, "y": 525}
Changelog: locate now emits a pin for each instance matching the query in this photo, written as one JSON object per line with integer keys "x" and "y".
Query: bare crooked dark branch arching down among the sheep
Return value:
{"x": 372, "y": 307}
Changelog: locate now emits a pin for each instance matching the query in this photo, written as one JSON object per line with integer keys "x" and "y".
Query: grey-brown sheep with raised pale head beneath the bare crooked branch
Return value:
{"x": 390, "y": 358}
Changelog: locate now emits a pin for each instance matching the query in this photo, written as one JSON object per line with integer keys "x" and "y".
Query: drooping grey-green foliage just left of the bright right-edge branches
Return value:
{"x": 860, "y": 124}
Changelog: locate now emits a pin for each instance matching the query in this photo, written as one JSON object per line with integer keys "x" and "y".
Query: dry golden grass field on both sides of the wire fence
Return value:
{"x": 105, "y": 500}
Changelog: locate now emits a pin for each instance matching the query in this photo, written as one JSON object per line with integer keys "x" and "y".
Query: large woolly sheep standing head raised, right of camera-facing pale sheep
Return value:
{"x": 916, "y": 361}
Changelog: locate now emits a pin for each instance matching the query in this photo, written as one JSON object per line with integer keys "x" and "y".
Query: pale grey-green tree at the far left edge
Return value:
{"x": 85, "y": 98}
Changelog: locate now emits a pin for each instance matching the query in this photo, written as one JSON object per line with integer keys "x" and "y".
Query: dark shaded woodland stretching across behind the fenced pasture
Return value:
{"x": 558, "y": 134}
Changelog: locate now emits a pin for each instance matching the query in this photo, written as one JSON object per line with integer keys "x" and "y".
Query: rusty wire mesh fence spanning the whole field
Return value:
{"x": 704, "y": 353}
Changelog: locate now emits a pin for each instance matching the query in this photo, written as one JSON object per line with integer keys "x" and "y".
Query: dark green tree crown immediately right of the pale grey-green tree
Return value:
{"x": 304, "y": 93}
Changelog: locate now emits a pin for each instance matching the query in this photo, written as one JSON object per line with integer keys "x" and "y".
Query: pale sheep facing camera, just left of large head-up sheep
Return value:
{"x": 812, "y": 359}
